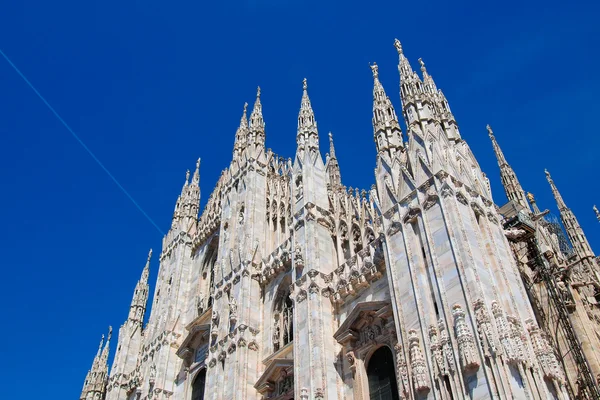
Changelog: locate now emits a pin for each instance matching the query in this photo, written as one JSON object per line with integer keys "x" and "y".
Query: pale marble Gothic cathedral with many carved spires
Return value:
{"x": 289, "y": 285}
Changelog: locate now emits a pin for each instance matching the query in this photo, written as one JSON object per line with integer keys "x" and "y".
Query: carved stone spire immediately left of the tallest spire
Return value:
{"x": 386, "y": 129}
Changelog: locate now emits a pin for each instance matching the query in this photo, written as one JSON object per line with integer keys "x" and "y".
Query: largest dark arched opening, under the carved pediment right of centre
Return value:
{"x": 382, "y": 375}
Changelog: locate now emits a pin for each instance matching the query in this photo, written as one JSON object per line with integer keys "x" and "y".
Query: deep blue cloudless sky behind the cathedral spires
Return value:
{"x": 151, "y": 86}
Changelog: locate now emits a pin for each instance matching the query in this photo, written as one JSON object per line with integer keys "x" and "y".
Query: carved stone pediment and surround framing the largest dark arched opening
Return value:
{"x": 368, "y": 328}
